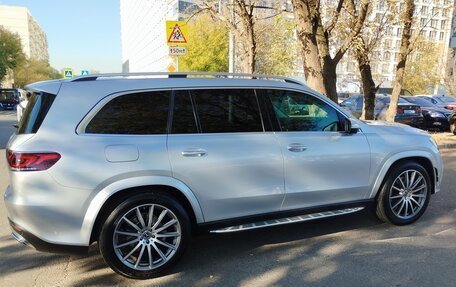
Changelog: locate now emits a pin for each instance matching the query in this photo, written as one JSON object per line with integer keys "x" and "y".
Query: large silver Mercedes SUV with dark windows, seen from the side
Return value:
{"x": 138, "y": 162}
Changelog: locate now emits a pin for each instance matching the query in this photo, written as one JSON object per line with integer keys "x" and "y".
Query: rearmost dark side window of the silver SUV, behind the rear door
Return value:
{"x": 140, "y": 113}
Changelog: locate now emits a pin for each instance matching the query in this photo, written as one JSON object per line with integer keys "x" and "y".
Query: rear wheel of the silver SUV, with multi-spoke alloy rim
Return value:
{"x": 145, "y": 236}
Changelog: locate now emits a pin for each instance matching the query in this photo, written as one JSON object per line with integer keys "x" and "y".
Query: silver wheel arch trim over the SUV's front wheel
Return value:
{"x": 422, "y": 157}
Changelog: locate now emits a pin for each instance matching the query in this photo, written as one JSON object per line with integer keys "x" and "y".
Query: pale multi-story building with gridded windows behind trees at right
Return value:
{"x": 433, "y": 22}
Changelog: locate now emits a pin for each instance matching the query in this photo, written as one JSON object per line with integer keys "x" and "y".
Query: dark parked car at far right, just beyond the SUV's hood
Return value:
{"x": 434, "y": 116}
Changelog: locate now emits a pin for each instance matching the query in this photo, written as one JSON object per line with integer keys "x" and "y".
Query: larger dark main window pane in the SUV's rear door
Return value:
{"x": 224, "y": 111}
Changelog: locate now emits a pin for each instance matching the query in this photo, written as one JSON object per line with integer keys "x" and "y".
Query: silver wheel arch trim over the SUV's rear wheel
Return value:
{"x": 115, "y": 193}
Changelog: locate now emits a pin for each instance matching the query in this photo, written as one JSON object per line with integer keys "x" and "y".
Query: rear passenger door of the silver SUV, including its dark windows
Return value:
{"x": 218, "y": 147}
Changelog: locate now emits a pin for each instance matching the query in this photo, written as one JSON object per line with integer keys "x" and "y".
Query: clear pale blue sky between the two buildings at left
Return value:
{"x": 82, "y": 34}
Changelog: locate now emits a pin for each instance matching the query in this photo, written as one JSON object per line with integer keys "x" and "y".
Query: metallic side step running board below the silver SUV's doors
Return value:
{"x": 287, "y": 220}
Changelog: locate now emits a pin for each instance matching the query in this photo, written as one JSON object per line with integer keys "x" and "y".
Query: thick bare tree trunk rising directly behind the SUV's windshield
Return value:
{"x": 305, "y": 15}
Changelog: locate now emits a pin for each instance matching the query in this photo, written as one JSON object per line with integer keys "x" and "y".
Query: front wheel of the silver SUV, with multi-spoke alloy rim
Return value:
{"x": 399, "y": 194}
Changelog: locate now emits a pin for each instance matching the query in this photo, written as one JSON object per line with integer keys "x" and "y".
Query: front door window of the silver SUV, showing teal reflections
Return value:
{"x": 300, "y": 112}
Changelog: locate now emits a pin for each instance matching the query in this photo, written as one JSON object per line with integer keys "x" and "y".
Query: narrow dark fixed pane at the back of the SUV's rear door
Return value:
{"x": 184, "y": 121}
